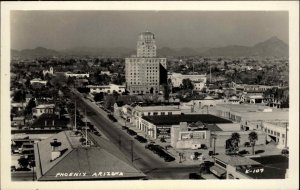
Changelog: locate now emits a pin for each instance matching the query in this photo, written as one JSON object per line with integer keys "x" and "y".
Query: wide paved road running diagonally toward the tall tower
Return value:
{"x": 150, "y": 163}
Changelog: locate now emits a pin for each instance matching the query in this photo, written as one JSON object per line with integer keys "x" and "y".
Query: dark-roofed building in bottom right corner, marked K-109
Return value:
{"x": 238, "y": 167}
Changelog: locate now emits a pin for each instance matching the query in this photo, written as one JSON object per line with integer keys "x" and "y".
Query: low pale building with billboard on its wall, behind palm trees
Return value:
{"x": 183, "y": 136}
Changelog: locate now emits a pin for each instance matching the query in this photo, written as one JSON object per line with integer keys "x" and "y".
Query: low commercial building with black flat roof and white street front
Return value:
{"x": 158, "y": 126}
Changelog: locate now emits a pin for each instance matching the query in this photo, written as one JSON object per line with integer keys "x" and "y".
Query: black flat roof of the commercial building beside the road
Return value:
{"x": 189, "y": 118}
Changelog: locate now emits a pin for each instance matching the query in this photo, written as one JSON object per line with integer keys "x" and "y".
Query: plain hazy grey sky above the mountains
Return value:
{"x": 175, "y": 29}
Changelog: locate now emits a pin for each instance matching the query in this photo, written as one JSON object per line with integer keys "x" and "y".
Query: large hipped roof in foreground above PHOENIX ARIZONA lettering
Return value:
{"x": 63, "y": 157}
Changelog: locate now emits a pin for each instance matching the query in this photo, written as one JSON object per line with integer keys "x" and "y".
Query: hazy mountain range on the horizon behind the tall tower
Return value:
{"x": 271, "y": 47}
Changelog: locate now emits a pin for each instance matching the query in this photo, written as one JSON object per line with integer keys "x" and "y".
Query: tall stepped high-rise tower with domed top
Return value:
{"x": 145, "y": 72}
